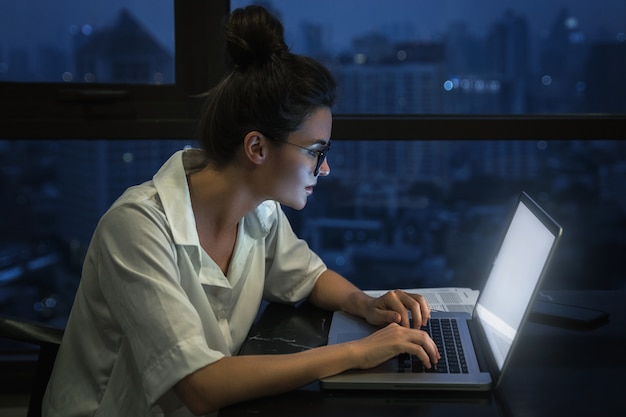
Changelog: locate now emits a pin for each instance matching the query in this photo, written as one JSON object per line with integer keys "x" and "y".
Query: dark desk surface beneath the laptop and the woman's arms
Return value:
{"x": 555, "y": 371}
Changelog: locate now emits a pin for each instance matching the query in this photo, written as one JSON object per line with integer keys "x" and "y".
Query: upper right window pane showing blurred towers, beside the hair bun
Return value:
{"x": 465, "y": 57}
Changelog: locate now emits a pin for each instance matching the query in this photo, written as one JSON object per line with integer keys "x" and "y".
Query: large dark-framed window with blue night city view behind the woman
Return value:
{"x": 431, "y": 142}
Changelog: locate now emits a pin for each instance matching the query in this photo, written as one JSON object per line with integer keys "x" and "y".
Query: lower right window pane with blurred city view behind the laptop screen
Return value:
{"x": 425, "y": 213}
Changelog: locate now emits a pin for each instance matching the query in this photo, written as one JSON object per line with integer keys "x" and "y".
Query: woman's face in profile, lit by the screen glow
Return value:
{"x": 295, "y": 166}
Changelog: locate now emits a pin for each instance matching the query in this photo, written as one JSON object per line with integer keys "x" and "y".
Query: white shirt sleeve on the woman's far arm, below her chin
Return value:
{"x": 292, "y": 268}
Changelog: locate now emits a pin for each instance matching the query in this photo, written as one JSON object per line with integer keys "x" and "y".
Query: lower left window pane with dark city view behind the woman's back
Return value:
{"x": 53, "y": 193}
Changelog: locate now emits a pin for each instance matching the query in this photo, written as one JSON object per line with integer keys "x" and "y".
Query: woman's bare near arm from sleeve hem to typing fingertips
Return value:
{"x": 240, "y": 378}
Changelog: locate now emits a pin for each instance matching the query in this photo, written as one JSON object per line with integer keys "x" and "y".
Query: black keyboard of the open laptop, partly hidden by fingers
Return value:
{"x": 445, "y": 334}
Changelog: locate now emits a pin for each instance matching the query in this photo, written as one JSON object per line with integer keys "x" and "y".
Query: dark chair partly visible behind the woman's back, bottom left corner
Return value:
{"x": 48, "y": 339}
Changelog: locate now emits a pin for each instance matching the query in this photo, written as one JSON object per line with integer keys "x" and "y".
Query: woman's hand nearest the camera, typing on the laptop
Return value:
{"x": 394, "y": 340}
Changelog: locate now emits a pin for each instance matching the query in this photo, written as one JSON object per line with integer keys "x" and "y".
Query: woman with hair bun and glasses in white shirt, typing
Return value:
{"x": 178, "y": 266}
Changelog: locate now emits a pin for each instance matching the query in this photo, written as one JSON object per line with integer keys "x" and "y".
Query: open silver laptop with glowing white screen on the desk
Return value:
{"x": 479, "y": 345}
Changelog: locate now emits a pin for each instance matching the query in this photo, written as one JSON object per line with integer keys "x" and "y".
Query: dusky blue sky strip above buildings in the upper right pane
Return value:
{"x": 430, "y": 20}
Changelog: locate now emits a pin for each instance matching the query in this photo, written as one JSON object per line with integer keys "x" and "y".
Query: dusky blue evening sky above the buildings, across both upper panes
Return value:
{"x": 26, "y": 24}
